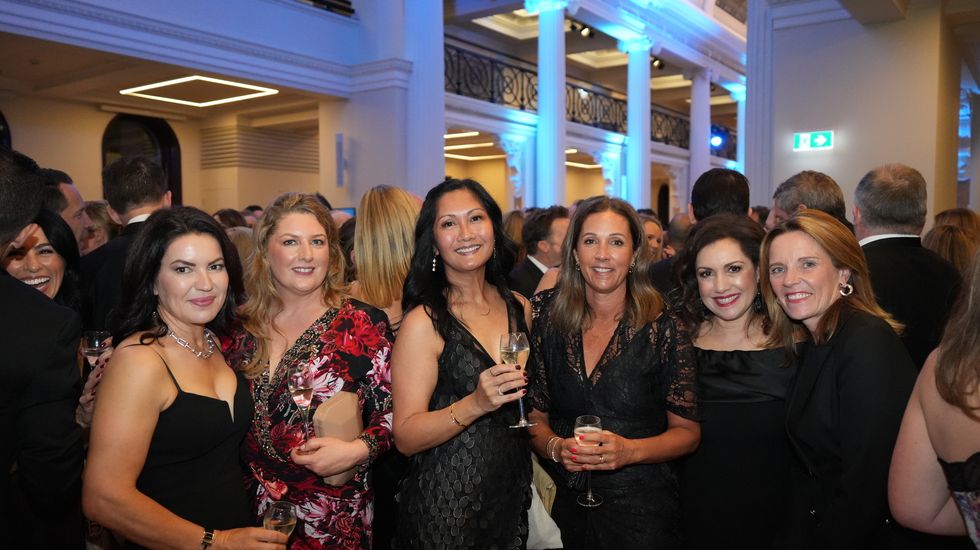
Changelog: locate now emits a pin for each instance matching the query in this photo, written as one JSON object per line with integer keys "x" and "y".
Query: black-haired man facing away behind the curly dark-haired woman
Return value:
{"x": 717, "y": 191}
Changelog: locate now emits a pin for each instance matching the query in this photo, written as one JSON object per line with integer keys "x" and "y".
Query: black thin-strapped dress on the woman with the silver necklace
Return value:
{"x": 192, "y": 467}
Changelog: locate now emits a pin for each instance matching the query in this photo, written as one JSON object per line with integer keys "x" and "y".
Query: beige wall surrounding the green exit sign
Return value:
{"x": 889, "y": 91}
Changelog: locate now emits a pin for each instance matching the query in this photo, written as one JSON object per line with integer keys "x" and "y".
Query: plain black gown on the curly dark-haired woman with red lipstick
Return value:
{"x": 735, "y": 487}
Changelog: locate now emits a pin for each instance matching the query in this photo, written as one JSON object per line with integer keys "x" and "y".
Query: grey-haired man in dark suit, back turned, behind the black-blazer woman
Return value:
{"x": 911, "y": 282}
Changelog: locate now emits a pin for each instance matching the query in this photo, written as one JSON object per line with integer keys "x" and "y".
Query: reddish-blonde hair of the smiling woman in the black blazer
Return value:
{"x": 845, "y": 253}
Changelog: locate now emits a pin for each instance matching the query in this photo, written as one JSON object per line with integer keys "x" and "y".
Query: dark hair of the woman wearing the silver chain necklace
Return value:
{"x": 137, "y": 312}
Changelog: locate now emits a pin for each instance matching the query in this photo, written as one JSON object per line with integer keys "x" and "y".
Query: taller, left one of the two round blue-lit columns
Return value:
{"x": 550, "y": 172}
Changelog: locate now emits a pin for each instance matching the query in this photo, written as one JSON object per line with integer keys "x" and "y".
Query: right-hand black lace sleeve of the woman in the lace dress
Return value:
{"x": 677, "y": 355}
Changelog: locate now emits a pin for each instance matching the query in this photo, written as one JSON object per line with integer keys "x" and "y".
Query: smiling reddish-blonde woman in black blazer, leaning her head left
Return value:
{"x": 851, "y": 385}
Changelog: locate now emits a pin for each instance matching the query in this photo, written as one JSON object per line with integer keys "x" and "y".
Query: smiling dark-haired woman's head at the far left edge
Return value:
{"x": 48, "y": 260}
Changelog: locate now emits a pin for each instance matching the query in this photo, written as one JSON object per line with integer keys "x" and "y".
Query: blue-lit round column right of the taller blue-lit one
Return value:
{"x": 638, "y": 121}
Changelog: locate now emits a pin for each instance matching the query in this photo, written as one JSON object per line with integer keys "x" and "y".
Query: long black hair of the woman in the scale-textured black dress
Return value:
{"x": 426, "y": 287}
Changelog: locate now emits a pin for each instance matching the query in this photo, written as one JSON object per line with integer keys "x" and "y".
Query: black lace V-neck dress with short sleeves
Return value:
{"x": 640, "y": 377}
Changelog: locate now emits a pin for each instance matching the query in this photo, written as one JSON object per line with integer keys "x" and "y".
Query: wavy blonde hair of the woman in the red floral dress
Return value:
{"x": 263, "y": 299}
